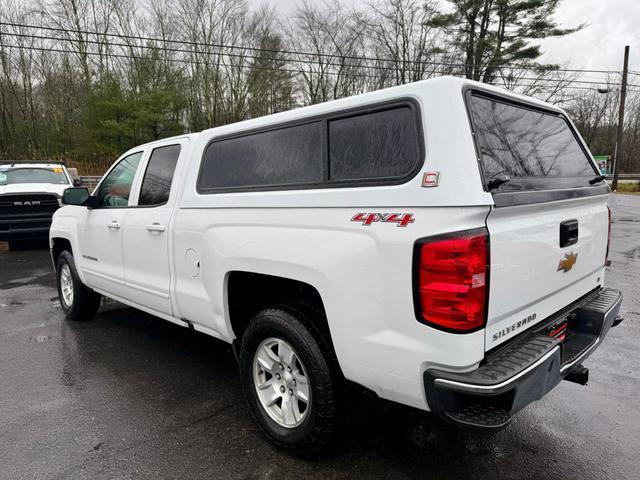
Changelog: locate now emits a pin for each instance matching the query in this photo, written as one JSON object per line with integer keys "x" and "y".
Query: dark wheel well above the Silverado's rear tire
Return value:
{"x": 248, "y": 293}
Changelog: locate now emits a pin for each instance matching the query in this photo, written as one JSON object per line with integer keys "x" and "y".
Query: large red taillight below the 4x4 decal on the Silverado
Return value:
{"x": 451, "y": 280}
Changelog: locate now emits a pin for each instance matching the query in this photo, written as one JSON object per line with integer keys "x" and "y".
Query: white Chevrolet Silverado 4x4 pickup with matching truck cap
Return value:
{"x": 442, "y": 244}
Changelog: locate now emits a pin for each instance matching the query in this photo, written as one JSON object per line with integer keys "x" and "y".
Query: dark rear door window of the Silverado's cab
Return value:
{"x": 156, "y": 183}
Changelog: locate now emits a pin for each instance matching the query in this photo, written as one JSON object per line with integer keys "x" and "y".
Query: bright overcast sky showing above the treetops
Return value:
{"x": 612, "y": 25}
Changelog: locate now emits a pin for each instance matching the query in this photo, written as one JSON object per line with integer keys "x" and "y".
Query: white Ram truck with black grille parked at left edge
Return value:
{"x": 30, "y": 193}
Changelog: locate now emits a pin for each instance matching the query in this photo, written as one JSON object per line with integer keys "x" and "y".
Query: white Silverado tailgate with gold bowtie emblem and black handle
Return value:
{"x": 531, "y": 275}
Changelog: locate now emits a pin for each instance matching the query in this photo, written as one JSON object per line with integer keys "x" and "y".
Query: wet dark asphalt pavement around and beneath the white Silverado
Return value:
{"x": 129, "y": 396}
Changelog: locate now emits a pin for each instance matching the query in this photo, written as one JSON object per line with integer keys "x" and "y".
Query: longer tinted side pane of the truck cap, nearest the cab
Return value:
{"x": 290, "y": 155}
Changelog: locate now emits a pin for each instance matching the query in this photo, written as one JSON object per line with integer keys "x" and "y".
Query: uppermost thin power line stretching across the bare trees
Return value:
{"x": 284, "y": 51}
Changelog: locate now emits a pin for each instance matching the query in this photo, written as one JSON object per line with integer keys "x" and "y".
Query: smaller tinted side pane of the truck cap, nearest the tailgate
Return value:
{"x": 374, "y": 145}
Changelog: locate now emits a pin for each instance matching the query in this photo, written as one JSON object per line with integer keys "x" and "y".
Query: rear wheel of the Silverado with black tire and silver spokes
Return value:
{"x": 289, "y": 382}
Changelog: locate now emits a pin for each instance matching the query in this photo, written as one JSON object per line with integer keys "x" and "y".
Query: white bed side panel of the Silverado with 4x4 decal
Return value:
{"x": 363, "y": 274}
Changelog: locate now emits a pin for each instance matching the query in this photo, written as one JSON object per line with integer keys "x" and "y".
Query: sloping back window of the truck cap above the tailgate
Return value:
{"x": 528, "y": 145}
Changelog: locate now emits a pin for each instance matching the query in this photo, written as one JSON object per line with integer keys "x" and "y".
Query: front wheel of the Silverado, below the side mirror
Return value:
{"x": 77, "y": 300}
